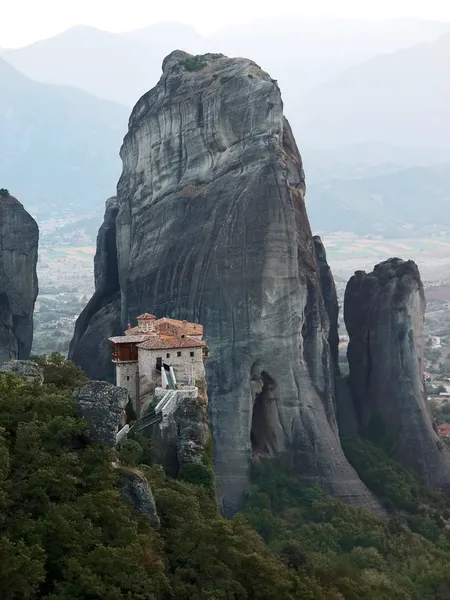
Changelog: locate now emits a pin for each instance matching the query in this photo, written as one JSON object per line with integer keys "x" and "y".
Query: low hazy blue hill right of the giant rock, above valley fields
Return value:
{"x": 406, "y": 202}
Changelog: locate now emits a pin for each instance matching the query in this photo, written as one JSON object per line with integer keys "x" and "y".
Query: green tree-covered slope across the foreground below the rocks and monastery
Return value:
{"x": 66, "y": 534}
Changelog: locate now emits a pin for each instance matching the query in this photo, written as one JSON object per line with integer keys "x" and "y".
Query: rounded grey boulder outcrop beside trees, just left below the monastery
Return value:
{"x": 102, "y": 405}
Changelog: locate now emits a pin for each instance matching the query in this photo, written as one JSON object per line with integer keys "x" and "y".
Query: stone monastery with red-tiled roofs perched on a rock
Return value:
{"x": 163, "y": 353}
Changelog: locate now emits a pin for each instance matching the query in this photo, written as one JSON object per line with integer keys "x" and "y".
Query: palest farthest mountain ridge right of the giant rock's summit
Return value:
{"x": 302, "y": 53}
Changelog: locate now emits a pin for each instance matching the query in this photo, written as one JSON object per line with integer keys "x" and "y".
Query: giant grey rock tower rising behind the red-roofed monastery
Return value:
{"x": 212, "y": 227}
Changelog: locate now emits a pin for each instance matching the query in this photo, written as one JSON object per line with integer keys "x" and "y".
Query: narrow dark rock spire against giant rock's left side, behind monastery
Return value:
{"x": 100, "y": 318}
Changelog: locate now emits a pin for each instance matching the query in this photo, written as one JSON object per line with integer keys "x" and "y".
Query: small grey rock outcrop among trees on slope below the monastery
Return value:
{"x": 135, "y": 489}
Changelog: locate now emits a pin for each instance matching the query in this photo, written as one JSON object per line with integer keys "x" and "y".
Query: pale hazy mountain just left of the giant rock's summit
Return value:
{"x": 104, "y": 64}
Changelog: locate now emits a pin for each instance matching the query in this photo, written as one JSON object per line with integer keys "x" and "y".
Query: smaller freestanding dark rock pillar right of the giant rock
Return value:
{"x": 384, "y": 314}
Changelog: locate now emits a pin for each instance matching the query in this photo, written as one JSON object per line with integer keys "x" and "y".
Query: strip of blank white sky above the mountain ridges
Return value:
{"x": 24, "y": 21}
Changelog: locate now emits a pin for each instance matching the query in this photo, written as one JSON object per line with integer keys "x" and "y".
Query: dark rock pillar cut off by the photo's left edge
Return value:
{"x": 19, "y": 236}
